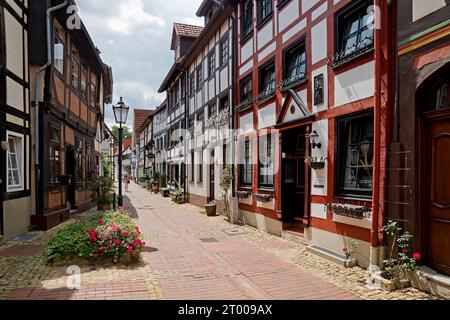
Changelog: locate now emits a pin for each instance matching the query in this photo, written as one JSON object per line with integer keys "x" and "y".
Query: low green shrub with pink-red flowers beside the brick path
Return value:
{"x": 106, "y": 234}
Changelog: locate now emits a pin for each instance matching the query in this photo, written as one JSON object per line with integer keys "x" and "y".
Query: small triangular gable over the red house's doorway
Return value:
{"x": 294, "y": 111}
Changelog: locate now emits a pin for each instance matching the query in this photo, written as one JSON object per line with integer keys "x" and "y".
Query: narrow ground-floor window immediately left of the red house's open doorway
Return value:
{"x": 266, "y": 161}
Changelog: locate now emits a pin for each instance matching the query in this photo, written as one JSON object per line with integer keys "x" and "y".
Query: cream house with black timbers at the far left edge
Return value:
{"x": 15, "y": 127}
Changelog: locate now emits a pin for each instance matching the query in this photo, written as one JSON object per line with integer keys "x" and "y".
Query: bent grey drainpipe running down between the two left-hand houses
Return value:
{"x": 36, "y": 93}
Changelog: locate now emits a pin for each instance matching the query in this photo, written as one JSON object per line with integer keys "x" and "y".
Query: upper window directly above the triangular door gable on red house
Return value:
{"x": 295, "y": 63}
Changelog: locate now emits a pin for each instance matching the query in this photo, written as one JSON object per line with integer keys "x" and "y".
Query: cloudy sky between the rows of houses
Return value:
{"x": 134, "y": 38}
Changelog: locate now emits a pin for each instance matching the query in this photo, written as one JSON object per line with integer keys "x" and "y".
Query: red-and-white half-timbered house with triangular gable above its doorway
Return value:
{"x": 312, "y": 103}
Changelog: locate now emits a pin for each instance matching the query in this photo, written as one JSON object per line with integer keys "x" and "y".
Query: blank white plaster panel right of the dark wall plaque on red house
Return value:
{"x": 355, "y": 84}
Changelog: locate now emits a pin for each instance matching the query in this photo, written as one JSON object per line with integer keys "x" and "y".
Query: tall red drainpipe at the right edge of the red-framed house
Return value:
{"x": 375, "y": 243}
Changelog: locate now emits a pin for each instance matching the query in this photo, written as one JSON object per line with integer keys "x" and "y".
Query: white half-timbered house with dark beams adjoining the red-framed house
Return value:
{"x": 209, "y": 74}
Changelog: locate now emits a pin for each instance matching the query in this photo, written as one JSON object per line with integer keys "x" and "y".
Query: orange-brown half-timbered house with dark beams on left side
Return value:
{"x": 70, "y": 81}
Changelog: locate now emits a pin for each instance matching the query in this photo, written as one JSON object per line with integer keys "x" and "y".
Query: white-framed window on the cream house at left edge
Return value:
{"x": 14, "y": 165}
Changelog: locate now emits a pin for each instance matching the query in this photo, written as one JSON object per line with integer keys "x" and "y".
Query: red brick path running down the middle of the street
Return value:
{"x": 192, "y": 259}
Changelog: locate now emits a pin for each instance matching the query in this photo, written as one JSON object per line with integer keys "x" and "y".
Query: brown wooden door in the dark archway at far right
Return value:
{"x": 438, "y": 194}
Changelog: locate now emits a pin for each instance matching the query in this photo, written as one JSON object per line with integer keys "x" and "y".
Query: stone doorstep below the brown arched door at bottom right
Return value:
{"x": 428, "y": 280}
